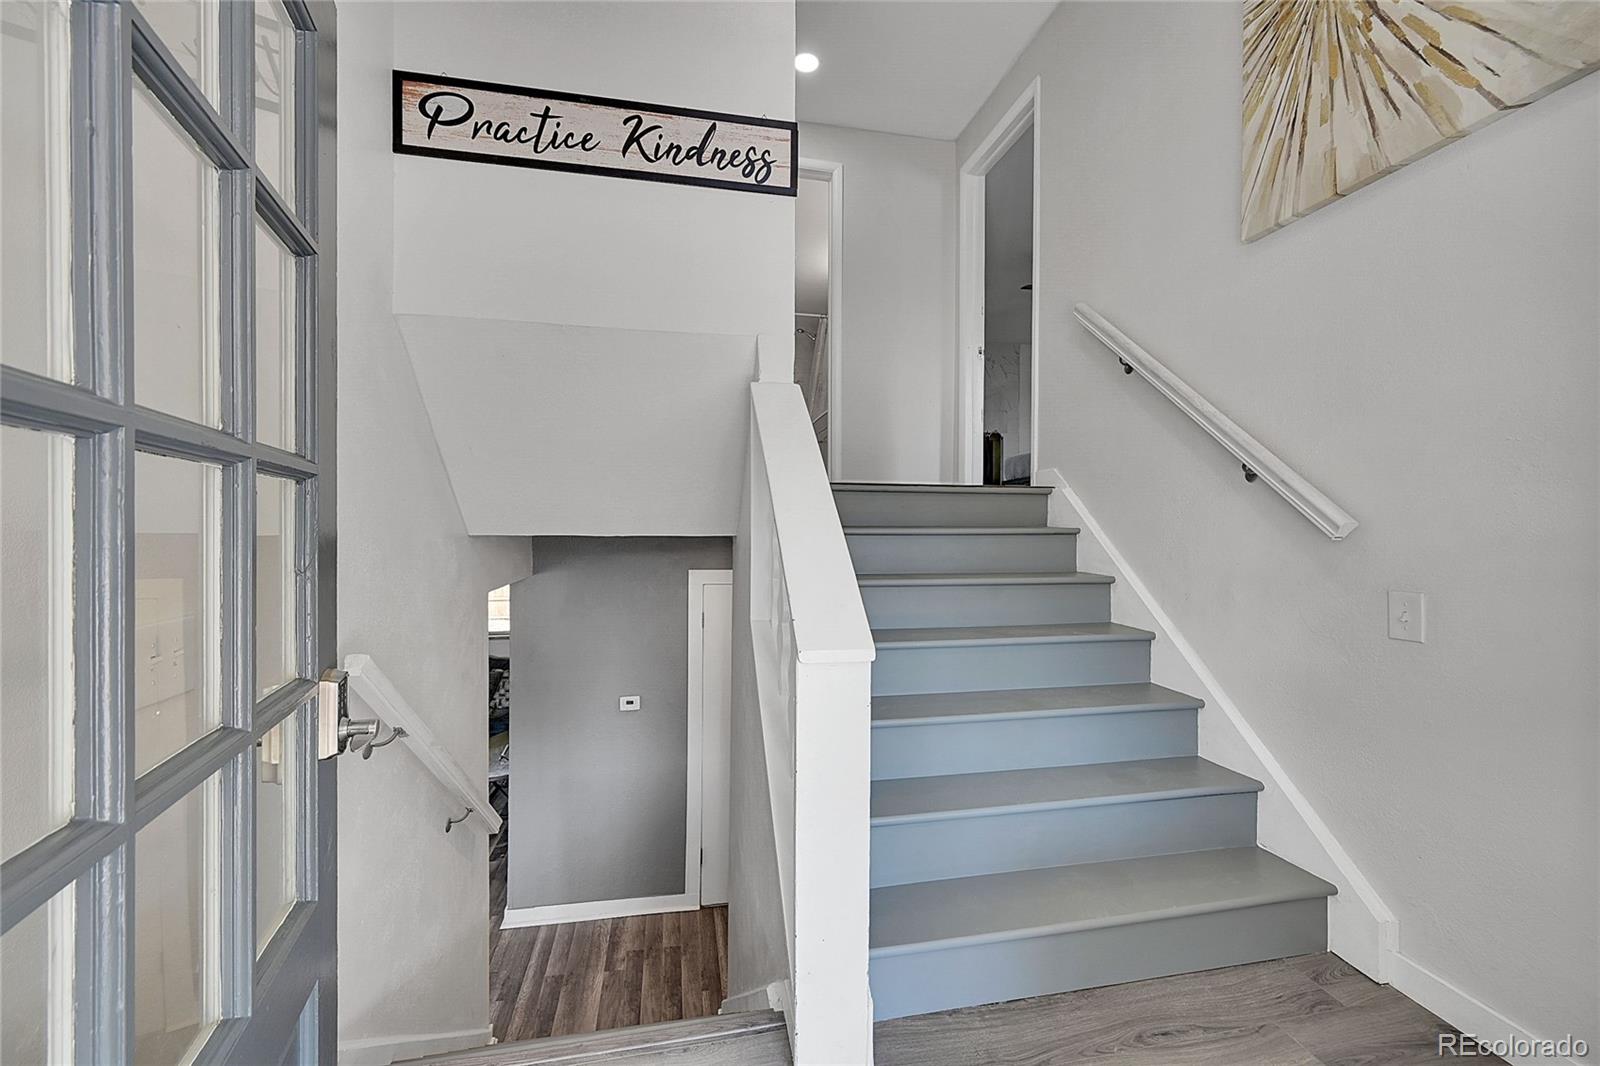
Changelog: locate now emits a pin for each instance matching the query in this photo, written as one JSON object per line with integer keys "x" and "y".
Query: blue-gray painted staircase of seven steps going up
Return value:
{"x": 1041, "y": 819}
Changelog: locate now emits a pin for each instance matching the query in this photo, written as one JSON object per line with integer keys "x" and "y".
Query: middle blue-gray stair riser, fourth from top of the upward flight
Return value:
{"x": 980, "y": 668}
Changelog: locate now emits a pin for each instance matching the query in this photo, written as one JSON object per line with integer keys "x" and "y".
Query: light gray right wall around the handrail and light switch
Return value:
{"x": 1425, "y": 351}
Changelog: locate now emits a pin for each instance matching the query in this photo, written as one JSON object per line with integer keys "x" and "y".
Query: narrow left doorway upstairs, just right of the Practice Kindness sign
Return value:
{"x": 820, "y": 204}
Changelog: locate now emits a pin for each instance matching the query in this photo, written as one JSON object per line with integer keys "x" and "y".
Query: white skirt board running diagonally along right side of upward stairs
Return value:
{"x": 1361, "y": 928}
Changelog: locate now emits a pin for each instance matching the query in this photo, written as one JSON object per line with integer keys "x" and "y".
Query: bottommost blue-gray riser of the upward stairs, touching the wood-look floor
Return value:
{"x": 921, "y": 982}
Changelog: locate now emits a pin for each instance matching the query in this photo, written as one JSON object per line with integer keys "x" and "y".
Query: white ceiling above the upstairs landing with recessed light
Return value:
{"x": 921, "y": 68}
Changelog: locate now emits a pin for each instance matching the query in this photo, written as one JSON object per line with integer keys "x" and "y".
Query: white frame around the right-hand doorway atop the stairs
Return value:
{"x": 1022, "y": 118}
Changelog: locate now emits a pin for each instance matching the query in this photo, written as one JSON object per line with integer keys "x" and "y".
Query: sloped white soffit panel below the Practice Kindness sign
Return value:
{"x": 582, "y": 431}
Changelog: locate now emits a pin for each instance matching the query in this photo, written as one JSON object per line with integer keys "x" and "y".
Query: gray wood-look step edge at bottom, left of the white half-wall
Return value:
{"x": 609, "y": 1043}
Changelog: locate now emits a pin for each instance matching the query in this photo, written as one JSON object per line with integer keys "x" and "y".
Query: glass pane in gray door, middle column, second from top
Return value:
{"x": 177, "y": 331}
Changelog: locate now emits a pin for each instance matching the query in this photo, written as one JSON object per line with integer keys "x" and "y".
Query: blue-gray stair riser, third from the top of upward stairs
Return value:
{"x": 938, "y": 606}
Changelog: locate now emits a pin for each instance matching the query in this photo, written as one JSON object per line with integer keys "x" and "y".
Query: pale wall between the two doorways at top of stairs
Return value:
{"x": 895, "y": 403}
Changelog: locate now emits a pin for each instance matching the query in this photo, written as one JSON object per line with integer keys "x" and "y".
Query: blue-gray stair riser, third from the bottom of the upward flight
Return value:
{"x": 932, "y": 750}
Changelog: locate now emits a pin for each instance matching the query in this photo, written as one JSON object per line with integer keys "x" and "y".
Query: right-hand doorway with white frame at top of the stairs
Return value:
{"x": 999, "y": 315}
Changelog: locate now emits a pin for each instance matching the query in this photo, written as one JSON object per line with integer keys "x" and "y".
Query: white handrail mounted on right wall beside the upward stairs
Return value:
{"x": 1257, "y": 459}
